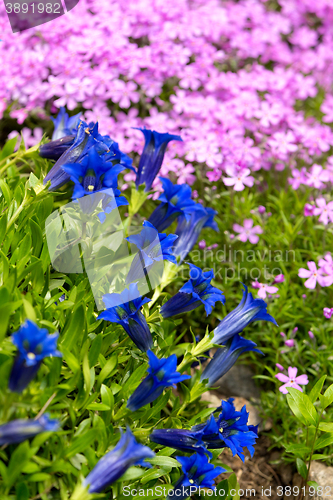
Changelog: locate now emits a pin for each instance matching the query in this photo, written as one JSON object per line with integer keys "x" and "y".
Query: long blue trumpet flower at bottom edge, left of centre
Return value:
{"x": 114, "y": 464}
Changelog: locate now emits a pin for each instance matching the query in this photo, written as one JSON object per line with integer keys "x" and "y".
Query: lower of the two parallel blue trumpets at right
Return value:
{"x": 226, "y": 357}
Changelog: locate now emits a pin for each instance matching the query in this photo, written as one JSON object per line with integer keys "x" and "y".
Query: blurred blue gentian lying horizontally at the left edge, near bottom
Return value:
{"x": 17, "y": 431}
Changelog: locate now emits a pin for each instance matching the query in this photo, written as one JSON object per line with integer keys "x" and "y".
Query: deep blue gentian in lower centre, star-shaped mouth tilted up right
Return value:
{"x": 162, "y": 373}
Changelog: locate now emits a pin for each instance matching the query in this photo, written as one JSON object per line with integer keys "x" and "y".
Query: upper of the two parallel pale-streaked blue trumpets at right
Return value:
{"x": 246, "y": 312}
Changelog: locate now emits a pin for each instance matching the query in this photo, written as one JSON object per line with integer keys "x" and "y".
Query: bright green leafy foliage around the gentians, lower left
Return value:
{"x": 87, "y": 389}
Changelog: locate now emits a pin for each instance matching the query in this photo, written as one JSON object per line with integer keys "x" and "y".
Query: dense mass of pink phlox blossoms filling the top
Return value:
{"x": 226, "y": 75}
